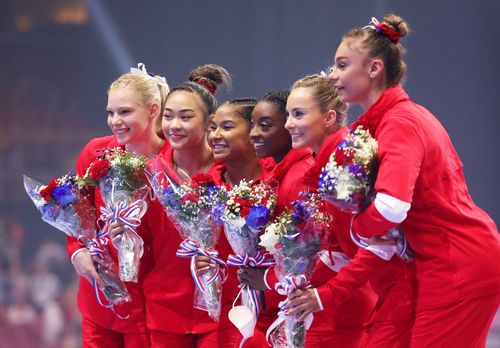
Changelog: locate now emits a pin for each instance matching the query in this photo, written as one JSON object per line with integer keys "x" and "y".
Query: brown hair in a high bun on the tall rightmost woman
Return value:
{"x": 380, "y": 45}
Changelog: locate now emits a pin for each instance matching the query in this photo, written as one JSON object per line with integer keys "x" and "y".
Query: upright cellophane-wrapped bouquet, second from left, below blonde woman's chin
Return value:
{"x": 123, "y": 187}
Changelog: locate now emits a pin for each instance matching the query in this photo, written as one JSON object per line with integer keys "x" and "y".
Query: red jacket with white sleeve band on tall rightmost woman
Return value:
{"x": 456, "y": 244}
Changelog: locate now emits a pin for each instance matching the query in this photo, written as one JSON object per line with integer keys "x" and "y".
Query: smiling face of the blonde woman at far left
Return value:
{"x": 129, "y": 119}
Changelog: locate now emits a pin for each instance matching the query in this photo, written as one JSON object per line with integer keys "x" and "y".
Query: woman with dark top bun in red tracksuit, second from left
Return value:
{"x": 169, "y": 287}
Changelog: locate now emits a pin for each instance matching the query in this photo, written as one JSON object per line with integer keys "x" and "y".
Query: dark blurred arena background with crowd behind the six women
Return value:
{"x": 57, "y": 58}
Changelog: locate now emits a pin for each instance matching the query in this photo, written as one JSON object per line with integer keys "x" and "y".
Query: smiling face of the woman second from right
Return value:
{"x": 306, "y": 121}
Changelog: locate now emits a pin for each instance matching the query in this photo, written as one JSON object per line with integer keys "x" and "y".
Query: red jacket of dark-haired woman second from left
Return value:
{"x": 169, "y": 287}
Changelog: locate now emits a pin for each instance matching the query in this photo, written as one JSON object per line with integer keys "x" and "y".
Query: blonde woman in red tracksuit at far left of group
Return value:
{"x": 135, "y": 101}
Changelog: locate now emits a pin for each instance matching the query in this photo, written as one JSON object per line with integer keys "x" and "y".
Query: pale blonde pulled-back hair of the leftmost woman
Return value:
{"x": 149, "y": 90}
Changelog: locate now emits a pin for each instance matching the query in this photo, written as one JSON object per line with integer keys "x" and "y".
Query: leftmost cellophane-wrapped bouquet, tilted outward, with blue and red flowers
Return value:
{"x": 66, "y": 204}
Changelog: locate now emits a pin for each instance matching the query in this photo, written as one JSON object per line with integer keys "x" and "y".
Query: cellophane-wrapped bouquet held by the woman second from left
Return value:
{"x": 188, "y": 203}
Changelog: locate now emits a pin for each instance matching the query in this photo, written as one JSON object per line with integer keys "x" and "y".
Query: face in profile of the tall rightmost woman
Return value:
{"x": 351, "y": 72}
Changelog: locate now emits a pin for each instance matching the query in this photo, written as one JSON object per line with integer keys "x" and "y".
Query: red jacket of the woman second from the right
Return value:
{"x": 393, "y": 281}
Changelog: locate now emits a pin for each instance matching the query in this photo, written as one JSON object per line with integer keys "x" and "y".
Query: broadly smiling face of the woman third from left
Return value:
{"x": 229, "y": 135}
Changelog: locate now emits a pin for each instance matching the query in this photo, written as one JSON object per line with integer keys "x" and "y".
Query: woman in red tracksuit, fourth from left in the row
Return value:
{"x": 271, "y": 138}
